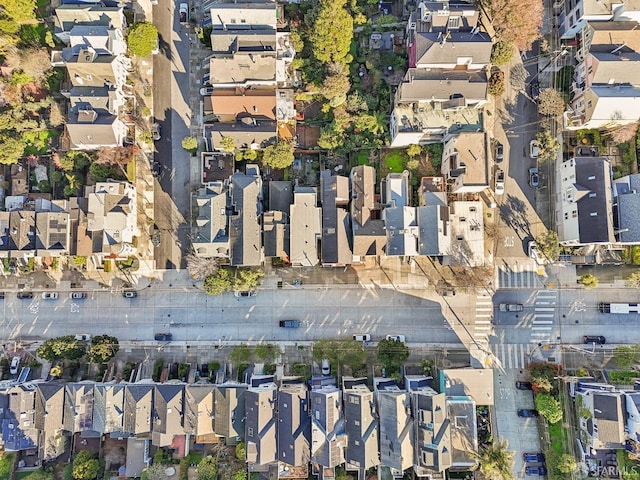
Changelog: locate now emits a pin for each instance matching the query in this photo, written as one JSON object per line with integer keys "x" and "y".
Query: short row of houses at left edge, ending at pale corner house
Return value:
{"x": 100, "y": 225}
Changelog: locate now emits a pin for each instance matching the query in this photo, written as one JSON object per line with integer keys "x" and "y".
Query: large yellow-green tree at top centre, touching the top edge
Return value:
{"x": 331, "y": 32}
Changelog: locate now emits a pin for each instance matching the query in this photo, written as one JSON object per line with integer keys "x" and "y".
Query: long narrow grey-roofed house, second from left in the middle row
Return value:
{"x": 245, "y": 210}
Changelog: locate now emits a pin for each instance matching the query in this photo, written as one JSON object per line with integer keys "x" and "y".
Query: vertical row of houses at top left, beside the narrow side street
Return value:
{"x": 97, "y": 66}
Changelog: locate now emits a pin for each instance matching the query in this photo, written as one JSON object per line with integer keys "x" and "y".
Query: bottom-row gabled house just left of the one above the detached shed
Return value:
{"x": 108, "y": 409}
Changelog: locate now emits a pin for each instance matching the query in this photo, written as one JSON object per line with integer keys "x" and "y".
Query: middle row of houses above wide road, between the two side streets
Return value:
{"x": 342, "y": 222}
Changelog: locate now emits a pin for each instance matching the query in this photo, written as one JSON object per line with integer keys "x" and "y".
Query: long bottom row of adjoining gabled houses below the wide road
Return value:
{"x": 286, "y": 427}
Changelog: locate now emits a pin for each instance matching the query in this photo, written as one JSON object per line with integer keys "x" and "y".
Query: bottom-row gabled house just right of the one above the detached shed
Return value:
{"x": 168, "y": 408}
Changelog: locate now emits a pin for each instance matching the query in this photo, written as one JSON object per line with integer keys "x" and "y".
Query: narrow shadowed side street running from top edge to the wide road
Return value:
{"x": 171, "y": 109}
